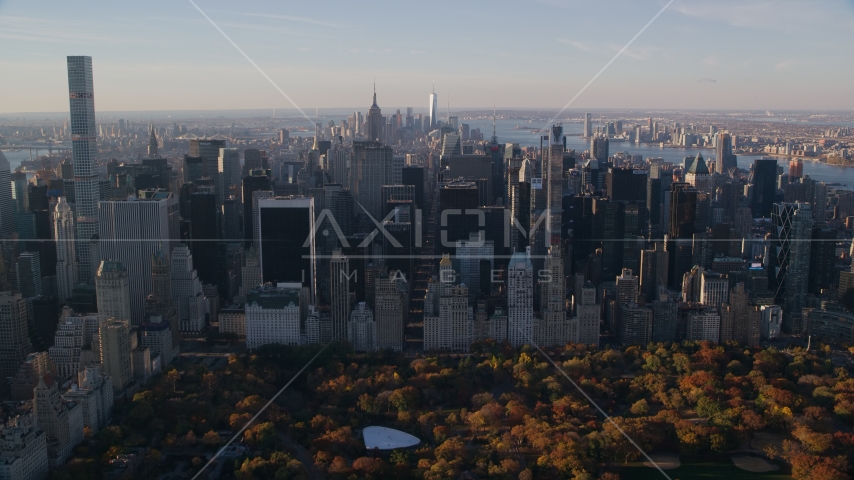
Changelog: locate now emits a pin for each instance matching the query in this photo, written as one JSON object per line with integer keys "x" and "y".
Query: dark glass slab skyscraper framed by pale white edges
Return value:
{"x": 287, "y": 244}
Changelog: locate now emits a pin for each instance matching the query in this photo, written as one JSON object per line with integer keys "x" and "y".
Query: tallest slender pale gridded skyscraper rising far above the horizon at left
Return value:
{"x": 84, "y": 151}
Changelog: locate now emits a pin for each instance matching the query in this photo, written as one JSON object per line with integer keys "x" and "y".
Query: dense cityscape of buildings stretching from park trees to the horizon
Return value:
{"x": 129, "y": 245}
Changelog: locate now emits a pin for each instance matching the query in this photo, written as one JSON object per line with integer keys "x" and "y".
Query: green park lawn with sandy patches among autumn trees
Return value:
{"x": 703, "y": 467}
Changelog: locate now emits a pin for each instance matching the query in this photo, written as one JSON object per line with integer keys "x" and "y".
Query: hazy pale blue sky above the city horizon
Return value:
{"x": 163, "y": 55}
